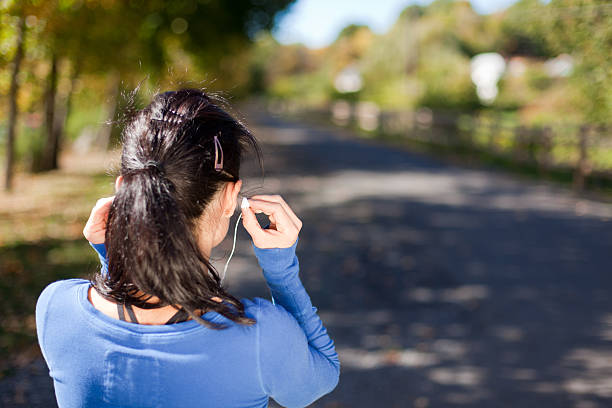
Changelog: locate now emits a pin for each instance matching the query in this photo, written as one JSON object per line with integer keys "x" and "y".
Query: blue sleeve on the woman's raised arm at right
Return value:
{"x": 298, "y": 360}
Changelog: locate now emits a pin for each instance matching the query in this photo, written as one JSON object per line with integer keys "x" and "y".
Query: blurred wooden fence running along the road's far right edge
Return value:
{"x": 583, "y": 151}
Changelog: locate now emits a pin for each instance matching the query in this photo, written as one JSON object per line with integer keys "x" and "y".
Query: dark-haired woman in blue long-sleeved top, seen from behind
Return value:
{"x": 187, "y": 342}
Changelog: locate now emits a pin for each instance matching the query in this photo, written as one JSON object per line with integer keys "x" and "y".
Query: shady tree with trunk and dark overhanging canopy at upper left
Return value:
{"x": 126, "y": 41}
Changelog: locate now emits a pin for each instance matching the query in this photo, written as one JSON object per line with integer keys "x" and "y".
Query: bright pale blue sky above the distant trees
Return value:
{"x": 317, "y": 23}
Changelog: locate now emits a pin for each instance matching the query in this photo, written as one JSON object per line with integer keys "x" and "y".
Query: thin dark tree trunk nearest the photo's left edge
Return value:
{"x": 12, "y": 119}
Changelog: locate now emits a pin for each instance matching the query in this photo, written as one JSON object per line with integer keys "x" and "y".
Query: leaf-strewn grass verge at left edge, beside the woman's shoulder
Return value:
{"x": 41, "y": 241}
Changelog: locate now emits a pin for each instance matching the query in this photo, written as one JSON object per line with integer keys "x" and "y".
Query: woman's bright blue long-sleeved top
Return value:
{"x": 99, "y": 361}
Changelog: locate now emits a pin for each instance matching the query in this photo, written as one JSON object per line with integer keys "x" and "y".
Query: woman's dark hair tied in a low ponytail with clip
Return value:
{"x": 169, "y": 178}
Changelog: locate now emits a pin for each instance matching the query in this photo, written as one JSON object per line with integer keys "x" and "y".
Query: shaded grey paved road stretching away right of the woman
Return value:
{"x": 442, "y": 286}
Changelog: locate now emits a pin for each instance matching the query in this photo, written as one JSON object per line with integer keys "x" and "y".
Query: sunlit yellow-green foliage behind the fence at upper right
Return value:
{"x": 424, "y": 60}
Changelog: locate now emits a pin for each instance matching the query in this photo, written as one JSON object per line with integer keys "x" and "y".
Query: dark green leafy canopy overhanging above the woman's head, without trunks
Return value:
{"x": 136, "y": 39}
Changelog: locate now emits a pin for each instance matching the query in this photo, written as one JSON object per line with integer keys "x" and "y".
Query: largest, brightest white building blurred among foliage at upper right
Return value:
{"x": 486, "y": 70}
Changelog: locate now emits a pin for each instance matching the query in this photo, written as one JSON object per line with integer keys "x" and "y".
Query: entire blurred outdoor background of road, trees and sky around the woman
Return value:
{"x": 451, "y": 161}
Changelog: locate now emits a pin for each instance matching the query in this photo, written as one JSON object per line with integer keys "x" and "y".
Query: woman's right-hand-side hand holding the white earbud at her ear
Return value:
{"x": 284, "y": 224}
